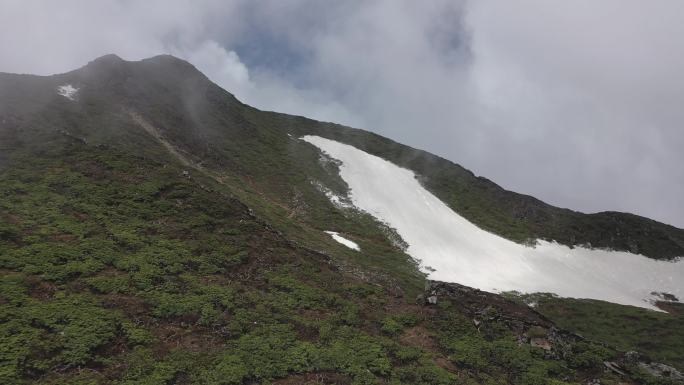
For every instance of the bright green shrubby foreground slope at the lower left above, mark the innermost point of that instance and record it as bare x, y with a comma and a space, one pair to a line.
121, 269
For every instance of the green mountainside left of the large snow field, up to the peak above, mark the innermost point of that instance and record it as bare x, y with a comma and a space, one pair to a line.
116, 267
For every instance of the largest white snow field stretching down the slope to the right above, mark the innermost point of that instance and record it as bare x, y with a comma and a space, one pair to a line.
459, 251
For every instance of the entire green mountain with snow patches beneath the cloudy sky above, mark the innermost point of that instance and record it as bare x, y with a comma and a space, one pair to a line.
156, 230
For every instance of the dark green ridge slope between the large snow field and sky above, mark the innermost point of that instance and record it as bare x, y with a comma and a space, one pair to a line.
517, 217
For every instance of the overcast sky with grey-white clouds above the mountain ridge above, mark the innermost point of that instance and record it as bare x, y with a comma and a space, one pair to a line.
579, 103
